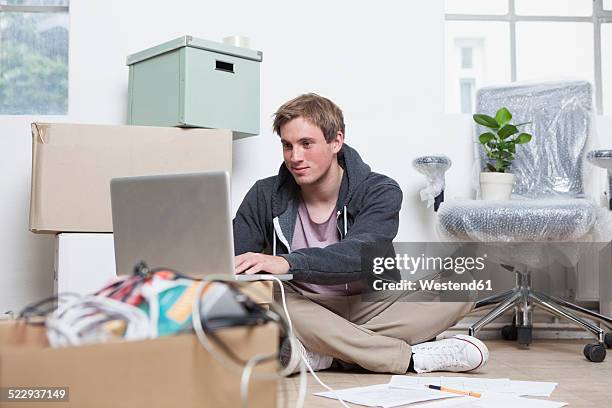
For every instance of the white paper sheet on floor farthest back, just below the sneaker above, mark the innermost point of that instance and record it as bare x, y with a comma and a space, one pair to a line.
482, 385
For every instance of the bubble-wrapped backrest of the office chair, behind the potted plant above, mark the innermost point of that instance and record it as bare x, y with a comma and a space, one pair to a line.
560, 112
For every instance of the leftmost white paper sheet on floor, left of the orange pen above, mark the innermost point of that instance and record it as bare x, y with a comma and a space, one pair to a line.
382, 395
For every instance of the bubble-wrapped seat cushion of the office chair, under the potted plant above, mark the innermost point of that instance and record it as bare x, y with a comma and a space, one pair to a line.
528, 233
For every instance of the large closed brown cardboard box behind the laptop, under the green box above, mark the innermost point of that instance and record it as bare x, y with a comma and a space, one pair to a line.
72, 166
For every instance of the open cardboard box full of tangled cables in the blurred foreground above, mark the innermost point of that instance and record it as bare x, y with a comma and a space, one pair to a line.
153, 339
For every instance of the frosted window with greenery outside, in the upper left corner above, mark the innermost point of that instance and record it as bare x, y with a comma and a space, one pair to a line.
33, 57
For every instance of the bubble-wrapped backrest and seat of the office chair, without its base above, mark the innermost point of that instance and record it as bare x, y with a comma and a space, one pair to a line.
549, 204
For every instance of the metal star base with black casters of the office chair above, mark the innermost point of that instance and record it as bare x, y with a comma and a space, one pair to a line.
523, 298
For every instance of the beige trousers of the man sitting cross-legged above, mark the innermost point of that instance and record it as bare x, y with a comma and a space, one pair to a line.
374, 335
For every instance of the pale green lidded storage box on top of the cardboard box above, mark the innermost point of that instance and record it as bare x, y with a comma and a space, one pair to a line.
190, 82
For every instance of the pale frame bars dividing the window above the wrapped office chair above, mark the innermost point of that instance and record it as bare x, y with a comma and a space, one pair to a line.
599, 16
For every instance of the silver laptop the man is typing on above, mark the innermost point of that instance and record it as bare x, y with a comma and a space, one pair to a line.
177, 221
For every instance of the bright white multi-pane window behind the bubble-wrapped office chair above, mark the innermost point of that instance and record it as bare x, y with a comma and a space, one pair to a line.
529, 40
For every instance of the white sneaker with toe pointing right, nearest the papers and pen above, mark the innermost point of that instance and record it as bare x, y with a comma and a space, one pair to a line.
458, 353
